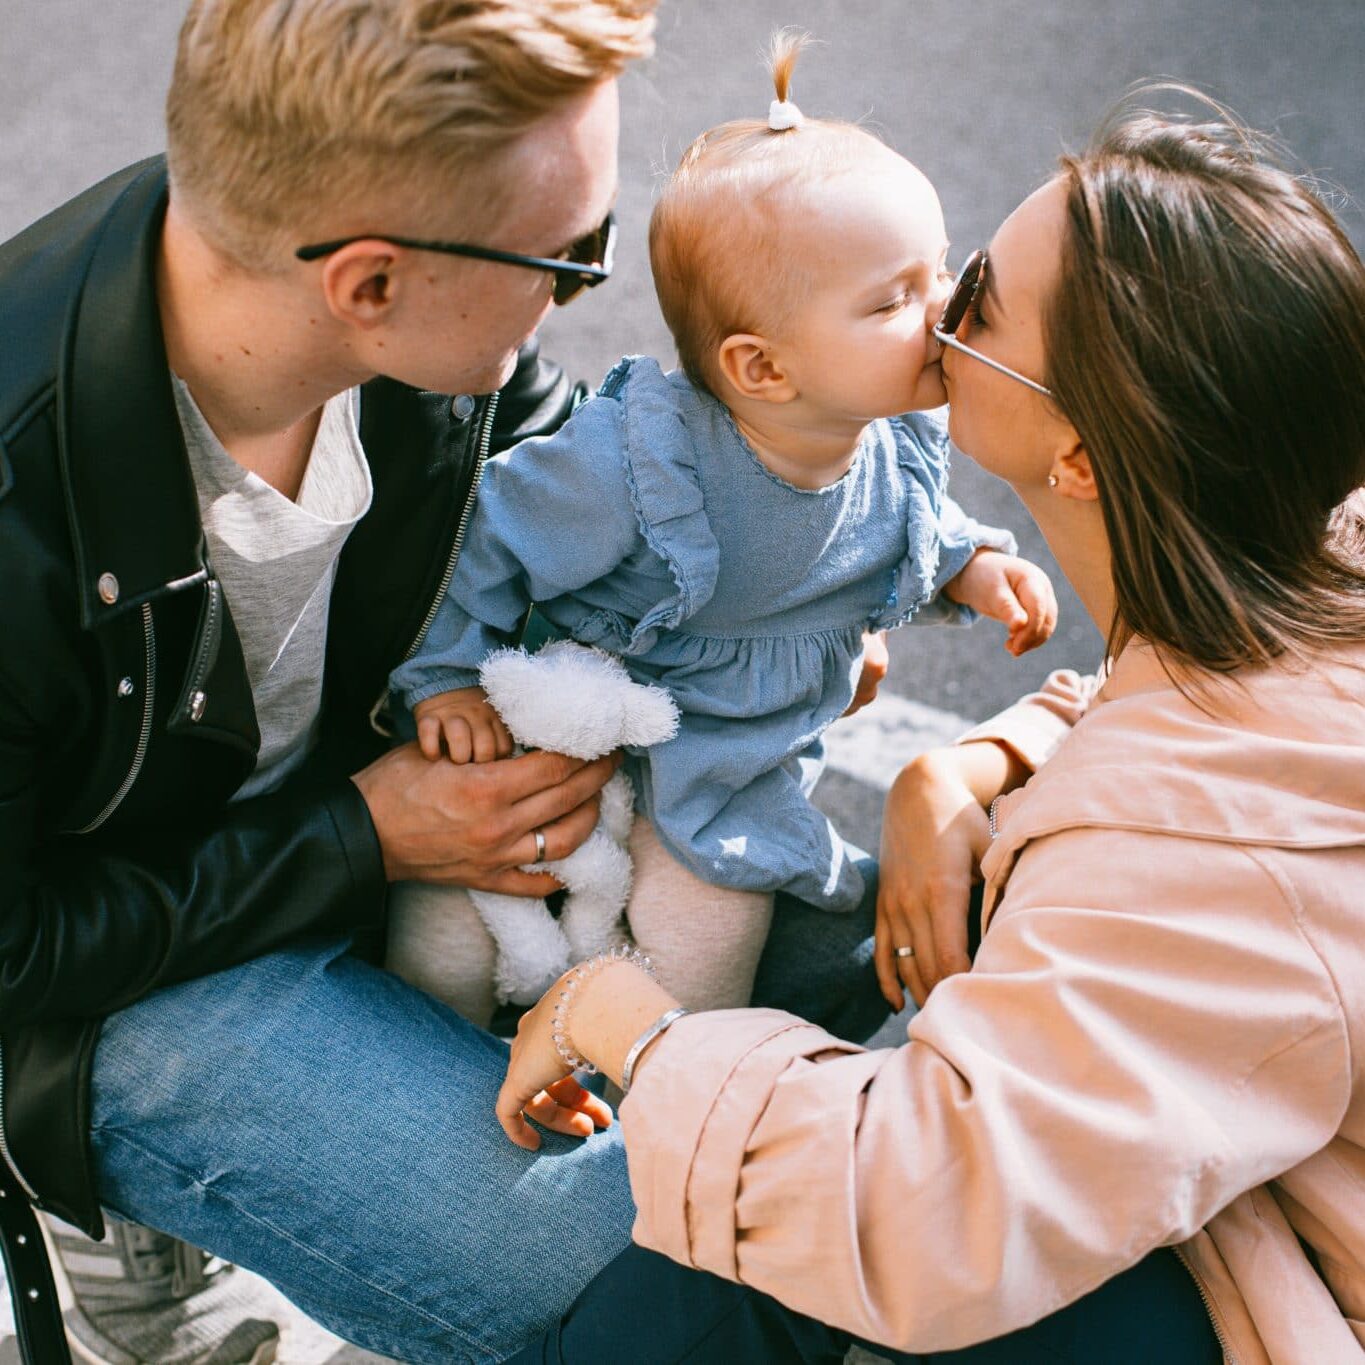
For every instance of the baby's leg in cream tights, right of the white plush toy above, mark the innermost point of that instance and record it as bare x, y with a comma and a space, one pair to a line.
705, 940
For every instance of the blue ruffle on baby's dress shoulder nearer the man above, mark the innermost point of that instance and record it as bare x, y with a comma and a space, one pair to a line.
665, 492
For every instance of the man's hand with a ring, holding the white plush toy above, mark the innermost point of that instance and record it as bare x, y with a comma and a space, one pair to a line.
474, 825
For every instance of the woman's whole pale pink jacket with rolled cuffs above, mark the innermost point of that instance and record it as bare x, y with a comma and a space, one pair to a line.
1161, 1045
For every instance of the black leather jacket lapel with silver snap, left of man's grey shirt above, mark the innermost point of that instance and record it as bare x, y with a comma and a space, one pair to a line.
130, 496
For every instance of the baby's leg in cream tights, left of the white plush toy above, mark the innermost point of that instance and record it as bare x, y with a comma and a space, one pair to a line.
439, 944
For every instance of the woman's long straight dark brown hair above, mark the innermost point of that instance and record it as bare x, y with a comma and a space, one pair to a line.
1207, 341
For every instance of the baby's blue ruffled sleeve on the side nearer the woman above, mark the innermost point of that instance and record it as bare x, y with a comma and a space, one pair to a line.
943, 537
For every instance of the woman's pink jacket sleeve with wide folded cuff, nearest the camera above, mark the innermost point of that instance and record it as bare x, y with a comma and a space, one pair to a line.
1057, 1113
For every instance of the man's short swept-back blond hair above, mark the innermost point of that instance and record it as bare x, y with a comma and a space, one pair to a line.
285, 113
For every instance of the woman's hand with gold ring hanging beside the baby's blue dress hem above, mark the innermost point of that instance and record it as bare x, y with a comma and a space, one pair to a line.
934, 836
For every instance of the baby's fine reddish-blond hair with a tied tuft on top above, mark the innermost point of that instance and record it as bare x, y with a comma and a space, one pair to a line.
717, 245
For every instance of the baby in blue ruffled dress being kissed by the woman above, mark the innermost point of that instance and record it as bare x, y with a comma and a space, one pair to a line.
732, 529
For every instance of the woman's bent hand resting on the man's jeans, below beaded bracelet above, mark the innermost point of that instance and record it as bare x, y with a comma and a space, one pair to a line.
538, 1084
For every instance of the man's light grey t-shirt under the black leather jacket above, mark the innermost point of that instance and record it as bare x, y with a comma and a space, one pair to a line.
276, 560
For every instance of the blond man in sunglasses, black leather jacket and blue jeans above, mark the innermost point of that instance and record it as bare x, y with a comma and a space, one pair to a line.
240, 425
